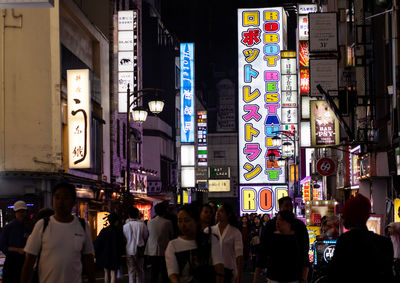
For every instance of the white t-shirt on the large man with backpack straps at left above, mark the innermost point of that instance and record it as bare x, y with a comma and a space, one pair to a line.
62, 245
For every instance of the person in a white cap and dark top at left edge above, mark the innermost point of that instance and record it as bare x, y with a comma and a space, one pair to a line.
12, 243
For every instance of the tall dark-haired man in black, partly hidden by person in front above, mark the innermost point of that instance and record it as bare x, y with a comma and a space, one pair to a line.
300, 230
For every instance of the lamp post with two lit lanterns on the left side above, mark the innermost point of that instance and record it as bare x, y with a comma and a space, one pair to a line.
139, 115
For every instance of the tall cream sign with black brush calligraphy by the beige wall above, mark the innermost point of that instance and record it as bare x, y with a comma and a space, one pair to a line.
79, 119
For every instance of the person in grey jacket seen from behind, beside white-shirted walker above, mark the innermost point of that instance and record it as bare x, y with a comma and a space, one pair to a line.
160, 233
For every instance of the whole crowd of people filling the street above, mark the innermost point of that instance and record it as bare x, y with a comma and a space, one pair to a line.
199, 243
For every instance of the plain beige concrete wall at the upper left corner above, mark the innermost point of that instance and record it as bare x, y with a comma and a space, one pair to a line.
30, 120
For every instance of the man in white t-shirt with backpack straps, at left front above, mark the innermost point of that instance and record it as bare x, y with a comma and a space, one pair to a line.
63, 245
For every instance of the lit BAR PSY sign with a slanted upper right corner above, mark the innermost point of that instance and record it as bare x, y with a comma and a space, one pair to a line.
324, 125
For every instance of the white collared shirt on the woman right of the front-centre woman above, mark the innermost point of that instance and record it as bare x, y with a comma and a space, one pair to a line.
231, 245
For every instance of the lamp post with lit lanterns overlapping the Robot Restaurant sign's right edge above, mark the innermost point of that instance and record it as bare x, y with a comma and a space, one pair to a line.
287, 147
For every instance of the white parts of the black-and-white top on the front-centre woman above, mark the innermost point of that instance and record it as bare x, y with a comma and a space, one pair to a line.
180, 245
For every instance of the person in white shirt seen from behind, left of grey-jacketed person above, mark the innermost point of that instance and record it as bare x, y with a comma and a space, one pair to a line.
136, 234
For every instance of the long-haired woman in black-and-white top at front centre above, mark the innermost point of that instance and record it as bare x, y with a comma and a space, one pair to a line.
195, 256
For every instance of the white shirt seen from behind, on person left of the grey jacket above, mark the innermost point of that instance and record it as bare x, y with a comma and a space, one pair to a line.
136, 234
